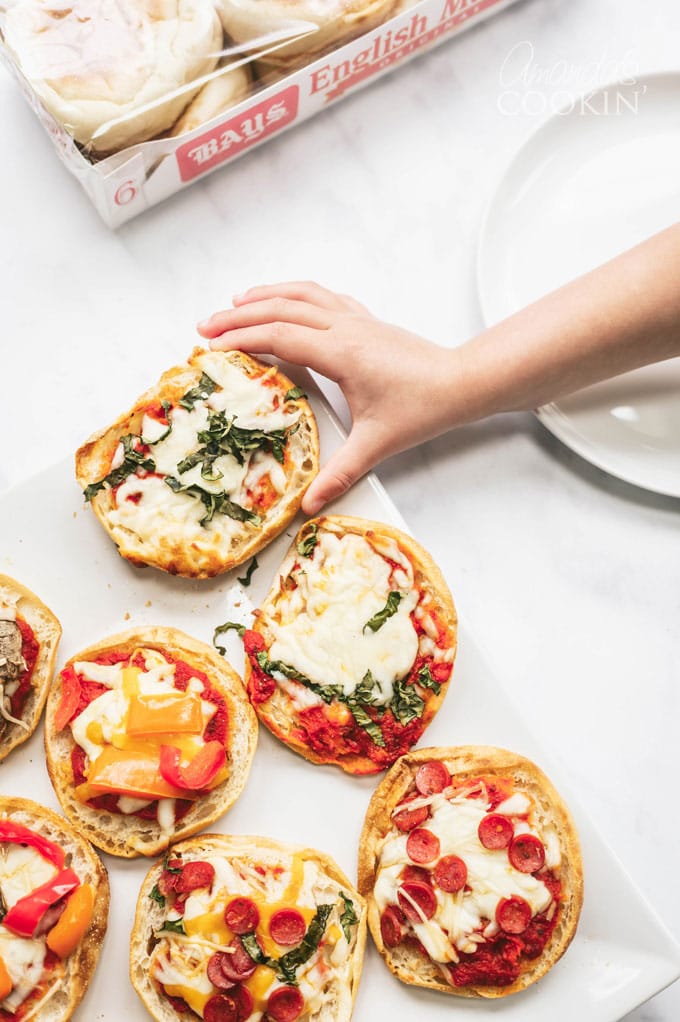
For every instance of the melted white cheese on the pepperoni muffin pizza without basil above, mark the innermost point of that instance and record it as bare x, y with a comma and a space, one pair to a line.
490, 876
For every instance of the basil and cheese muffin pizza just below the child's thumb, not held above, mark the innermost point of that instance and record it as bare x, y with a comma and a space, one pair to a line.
352, 651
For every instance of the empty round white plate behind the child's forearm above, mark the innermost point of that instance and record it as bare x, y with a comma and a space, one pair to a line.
583, 189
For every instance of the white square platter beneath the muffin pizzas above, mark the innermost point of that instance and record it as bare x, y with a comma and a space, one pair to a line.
622, 954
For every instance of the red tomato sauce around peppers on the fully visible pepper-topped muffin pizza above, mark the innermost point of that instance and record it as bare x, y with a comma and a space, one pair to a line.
216, 729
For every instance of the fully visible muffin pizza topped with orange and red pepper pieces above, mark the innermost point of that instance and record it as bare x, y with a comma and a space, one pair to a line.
113, 711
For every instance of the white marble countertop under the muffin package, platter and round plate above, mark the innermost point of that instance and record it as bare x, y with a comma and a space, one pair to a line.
568, 579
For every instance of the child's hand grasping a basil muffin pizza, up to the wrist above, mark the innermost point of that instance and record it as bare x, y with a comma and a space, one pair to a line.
398, 387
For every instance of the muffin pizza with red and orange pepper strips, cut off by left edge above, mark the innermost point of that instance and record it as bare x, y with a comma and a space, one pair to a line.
52, 970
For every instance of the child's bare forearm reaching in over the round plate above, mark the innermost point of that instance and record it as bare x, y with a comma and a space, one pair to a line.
619, 317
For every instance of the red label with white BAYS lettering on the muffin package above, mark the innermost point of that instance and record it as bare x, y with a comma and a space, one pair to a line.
232, 137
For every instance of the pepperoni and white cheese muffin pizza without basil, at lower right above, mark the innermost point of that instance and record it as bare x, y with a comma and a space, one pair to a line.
472, 867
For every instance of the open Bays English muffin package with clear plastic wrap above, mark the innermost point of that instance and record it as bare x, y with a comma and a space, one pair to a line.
144, 97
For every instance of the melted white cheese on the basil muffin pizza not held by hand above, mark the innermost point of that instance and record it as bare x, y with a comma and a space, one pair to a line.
321, 627
